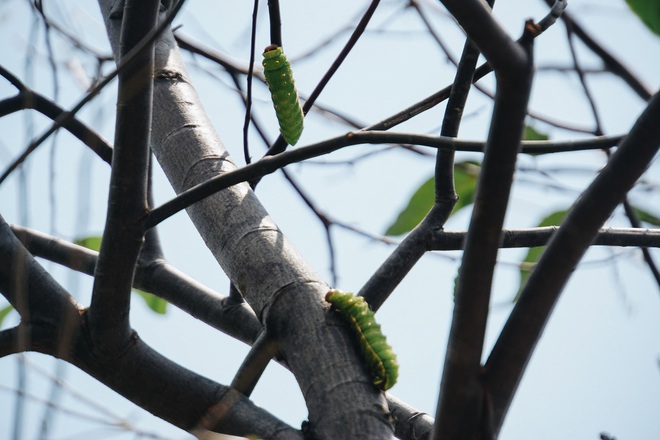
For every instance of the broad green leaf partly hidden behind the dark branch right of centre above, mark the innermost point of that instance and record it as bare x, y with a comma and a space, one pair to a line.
421, 202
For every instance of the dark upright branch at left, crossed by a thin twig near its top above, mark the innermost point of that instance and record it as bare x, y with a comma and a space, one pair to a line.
108, 314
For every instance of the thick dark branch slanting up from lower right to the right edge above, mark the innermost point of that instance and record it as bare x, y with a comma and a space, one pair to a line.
524, 327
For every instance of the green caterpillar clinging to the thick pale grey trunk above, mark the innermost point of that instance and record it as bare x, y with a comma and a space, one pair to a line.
377, 353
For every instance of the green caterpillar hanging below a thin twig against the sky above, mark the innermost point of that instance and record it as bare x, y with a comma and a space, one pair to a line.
279, 77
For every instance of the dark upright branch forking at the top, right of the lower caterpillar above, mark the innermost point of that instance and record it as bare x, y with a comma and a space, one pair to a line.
459, 413
